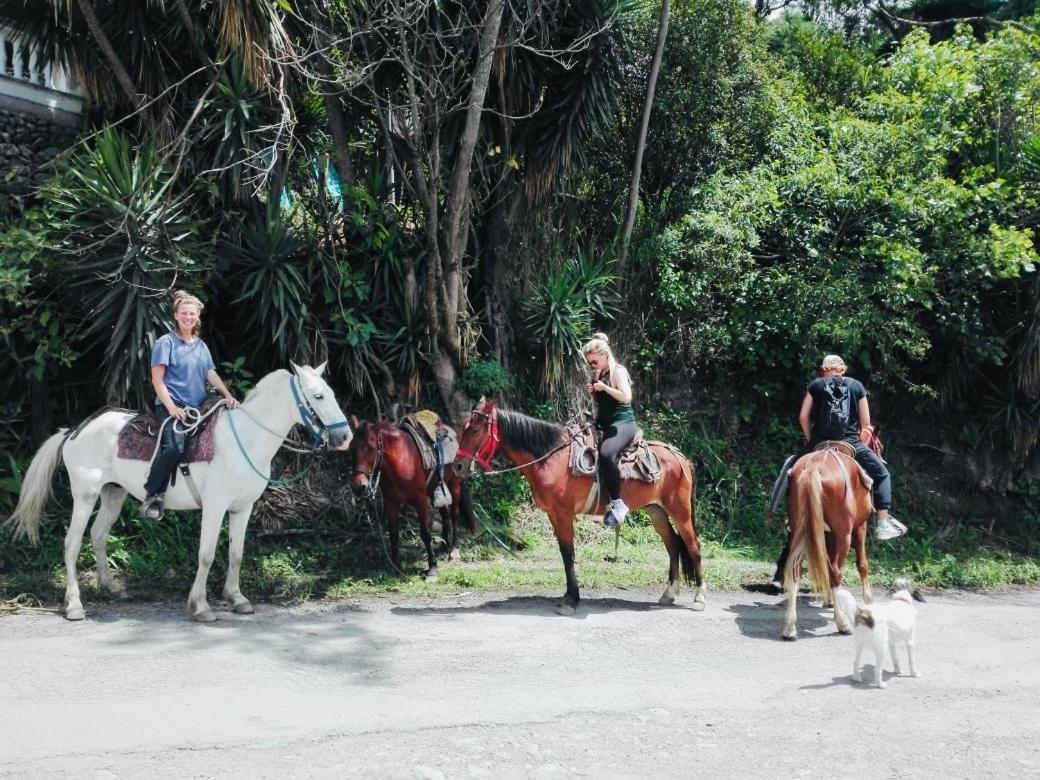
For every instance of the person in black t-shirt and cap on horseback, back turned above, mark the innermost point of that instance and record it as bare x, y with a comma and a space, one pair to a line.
836, 409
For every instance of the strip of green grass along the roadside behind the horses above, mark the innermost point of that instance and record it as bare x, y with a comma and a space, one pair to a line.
953, 543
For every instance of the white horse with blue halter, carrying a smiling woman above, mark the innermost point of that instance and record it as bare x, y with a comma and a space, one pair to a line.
246, 441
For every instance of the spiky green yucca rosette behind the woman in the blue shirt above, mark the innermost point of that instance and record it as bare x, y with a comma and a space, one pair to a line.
123, 235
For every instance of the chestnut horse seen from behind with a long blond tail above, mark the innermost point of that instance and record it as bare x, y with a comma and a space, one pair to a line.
828, 507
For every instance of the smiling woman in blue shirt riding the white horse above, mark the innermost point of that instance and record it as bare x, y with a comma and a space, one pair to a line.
181, 366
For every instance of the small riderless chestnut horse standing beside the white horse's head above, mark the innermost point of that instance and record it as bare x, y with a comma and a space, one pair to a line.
384, 457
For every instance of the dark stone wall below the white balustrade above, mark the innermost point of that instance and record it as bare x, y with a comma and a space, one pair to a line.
28, 143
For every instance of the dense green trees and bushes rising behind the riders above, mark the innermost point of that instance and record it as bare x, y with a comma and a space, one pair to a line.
831, 183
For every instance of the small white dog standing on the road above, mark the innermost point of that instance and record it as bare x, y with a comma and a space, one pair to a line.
879, 627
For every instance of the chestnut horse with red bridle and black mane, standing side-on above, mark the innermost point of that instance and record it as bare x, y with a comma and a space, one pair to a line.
542, 453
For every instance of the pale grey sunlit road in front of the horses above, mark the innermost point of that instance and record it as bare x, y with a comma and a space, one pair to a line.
499, 686
